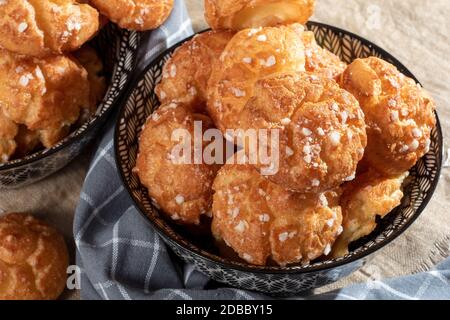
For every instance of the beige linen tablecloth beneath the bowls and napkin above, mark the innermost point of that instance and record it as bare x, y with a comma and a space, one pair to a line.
417, 32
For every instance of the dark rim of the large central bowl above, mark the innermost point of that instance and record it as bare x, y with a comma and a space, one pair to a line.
275, 270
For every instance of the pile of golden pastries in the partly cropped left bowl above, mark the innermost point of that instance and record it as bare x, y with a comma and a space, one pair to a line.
50, 78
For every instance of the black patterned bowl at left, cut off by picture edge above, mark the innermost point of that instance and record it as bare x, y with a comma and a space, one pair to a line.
117, 48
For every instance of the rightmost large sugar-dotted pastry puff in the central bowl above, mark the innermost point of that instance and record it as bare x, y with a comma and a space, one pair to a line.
399, 114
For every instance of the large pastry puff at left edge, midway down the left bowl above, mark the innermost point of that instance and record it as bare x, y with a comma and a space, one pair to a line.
44, 94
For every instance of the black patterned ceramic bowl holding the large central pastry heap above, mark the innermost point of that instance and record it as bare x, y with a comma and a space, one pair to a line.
142, 101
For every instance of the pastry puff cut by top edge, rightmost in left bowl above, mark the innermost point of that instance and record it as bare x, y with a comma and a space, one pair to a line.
137, 15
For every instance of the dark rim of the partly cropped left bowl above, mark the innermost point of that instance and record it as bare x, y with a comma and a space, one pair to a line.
93, 123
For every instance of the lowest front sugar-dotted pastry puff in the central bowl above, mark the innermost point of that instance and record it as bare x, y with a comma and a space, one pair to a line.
263, 222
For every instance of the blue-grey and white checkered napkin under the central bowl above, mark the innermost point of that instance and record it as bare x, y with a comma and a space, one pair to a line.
121, 257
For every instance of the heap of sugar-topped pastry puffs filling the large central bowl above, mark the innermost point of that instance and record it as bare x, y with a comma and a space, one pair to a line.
348, 136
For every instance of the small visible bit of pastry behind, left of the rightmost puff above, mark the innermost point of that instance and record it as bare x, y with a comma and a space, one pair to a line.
319, 60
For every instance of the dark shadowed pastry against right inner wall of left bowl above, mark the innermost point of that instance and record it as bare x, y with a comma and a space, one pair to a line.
89, 59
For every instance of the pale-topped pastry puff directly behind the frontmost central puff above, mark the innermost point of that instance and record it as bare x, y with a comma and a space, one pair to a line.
249, 56
